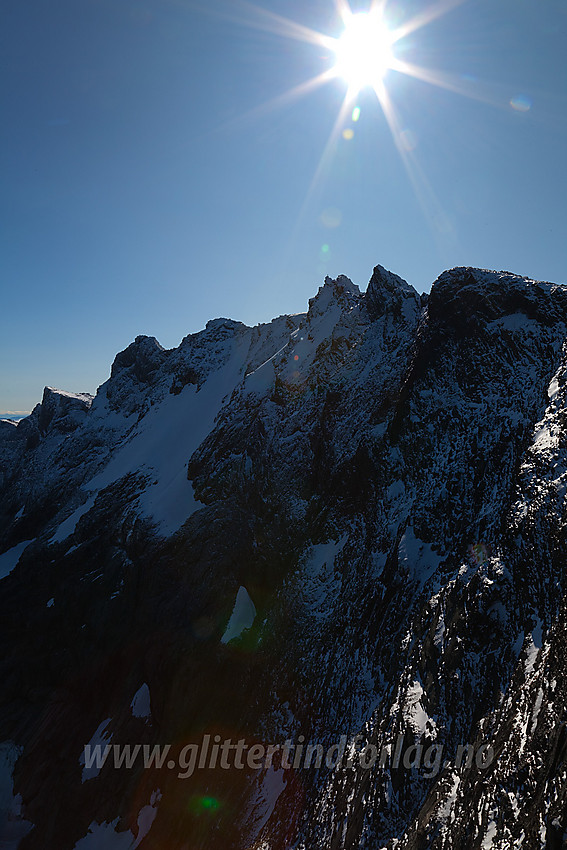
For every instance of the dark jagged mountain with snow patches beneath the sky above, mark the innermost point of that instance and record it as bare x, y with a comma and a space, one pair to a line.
349, 522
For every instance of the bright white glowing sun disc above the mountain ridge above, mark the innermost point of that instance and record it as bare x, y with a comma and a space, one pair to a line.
364, 51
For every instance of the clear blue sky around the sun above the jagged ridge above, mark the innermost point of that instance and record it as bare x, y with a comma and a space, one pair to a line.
156, 175
